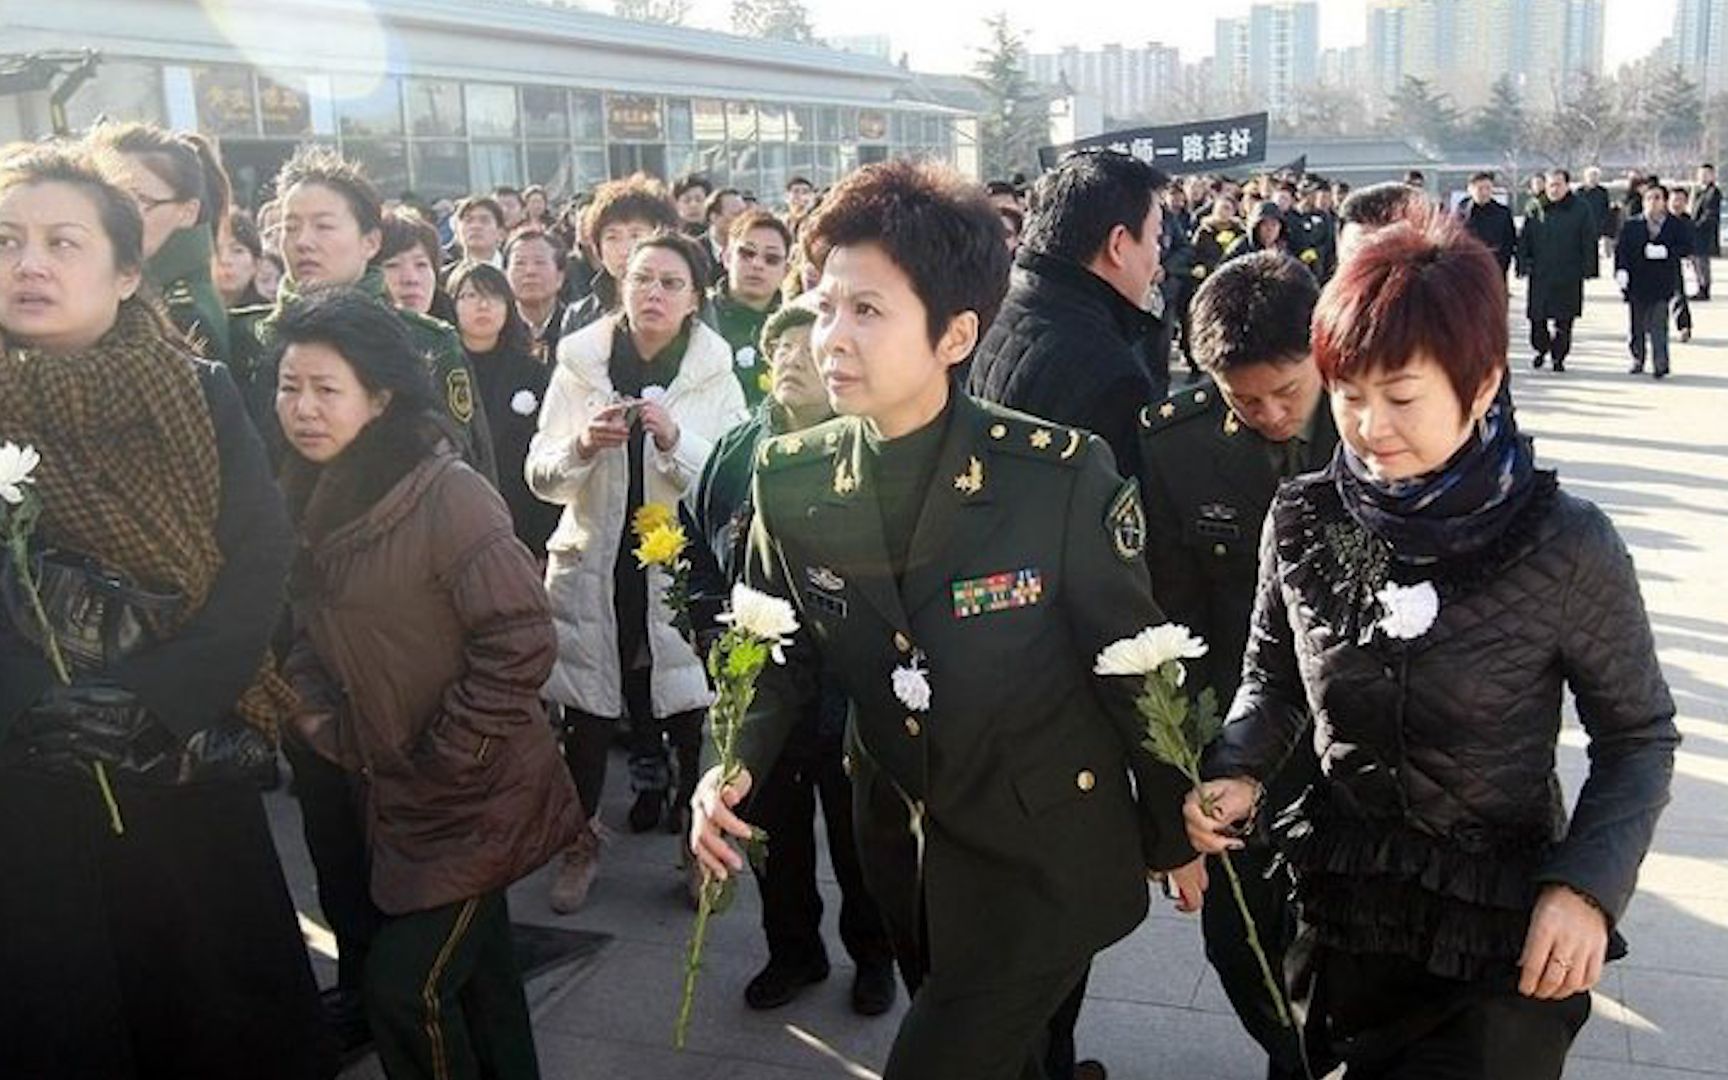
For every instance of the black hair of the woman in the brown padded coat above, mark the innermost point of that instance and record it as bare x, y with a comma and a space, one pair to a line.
371, 338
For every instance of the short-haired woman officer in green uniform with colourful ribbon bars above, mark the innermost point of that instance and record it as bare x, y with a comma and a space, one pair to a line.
1005, 808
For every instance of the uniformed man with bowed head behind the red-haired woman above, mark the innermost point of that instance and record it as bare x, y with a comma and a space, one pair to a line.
1214, 459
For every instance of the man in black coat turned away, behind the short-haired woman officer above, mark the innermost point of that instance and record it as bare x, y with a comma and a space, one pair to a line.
1067, 341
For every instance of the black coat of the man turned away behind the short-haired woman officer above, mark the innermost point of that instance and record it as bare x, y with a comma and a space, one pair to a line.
1065, 348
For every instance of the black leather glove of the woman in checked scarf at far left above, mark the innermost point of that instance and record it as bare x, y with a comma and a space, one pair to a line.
72, 728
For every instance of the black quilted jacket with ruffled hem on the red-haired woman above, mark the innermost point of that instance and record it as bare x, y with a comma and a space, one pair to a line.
1439, 815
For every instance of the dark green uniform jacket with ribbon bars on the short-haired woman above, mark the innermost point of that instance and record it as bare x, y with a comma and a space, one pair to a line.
1010, 797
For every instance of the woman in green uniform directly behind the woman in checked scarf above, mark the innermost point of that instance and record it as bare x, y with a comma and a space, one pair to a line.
184, 194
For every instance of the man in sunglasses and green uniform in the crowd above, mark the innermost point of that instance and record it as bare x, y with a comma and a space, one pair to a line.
756, 264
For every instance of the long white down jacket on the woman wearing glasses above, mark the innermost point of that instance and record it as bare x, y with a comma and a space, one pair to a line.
706, 402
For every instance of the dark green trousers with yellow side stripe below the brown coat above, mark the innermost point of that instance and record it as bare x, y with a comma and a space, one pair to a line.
445, 996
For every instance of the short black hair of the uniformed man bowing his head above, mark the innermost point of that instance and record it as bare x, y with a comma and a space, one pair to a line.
1254, 310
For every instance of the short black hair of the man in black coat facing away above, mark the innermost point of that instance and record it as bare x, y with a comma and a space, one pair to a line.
1077, 205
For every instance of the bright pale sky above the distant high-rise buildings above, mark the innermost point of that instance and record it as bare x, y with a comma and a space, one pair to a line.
941, 35
